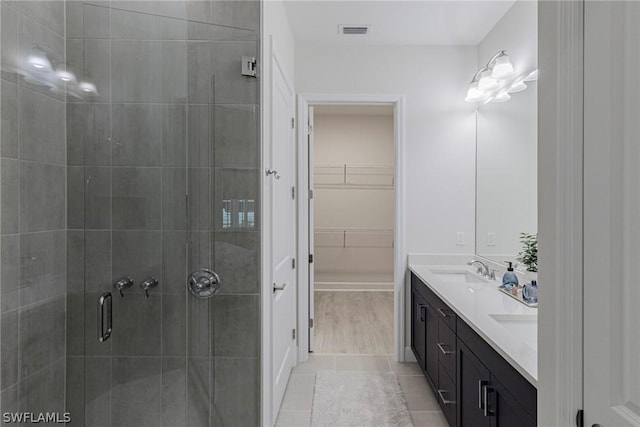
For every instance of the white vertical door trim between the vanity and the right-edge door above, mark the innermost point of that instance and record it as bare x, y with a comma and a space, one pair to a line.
560, 211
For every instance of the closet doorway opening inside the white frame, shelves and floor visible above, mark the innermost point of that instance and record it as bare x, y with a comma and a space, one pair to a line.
351, 221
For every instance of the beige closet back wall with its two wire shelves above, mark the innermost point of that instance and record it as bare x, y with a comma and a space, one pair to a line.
354, 197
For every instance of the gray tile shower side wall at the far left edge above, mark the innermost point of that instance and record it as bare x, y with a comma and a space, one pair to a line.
33, 261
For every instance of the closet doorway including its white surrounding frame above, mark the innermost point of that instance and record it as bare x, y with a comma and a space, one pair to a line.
350, 226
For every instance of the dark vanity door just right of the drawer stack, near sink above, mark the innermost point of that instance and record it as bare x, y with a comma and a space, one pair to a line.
473, 377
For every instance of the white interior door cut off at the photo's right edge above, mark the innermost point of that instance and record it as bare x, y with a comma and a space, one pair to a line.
611, 214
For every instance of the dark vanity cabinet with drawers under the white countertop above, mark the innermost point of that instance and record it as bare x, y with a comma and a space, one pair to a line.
474, 385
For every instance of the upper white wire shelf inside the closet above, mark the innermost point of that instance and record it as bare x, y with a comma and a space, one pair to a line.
353, 176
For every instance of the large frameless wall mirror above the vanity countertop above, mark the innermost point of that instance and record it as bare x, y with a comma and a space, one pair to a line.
506, 180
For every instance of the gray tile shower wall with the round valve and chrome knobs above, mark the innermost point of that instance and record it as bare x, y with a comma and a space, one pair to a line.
162, 180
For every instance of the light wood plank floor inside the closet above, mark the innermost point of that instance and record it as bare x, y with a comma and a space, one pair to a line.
353, 322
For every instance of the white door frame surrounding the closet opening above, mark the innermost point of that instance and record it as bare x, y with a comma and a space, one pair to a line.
399, 251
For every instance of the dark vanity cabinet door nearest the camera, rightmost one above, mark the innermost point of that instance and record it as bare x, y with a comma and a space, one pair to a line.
506, 409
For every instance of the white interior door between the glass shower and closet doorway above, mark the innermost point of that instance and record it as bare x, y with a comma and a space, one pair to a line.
283, 229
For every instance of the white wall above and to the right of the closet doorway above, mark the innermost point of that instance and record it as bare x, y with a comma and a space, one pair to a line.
439, 132
